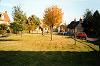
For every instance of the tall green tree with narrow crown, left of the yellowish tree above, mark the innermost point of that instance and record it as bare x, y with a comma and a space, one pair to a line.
19, 19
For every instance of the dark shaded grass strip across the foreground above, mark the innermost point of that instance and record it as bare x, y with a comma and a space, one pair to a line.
48, 58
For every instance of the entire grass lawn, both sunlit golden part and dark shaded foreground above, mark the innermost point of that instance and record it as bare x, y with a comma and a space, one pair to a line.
38, 50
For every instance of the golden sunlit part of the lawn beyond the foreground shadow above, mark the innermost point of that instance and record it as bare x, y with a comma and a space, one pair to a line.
38, 42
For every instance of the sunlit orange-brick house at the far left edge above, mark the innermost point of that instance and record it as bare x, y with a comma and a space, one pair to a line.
4, 18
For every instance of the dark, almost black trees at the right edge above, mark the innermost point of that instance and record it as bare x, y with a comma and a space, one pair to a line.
91, 23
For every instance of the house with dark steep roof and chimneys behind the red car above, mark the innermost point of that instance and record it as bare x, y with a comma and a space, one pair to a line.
75, 26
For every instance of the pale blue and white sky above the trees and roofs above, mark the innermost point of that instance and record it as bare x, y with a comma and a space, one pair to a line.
71, 8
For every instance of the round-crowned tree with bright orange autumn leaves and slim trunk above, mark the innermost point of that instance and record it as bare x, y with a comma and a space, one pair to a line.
52, 17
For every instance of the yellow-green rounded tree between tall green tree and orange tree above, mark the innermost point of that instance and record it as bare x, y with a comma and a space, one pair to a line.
32, 23
